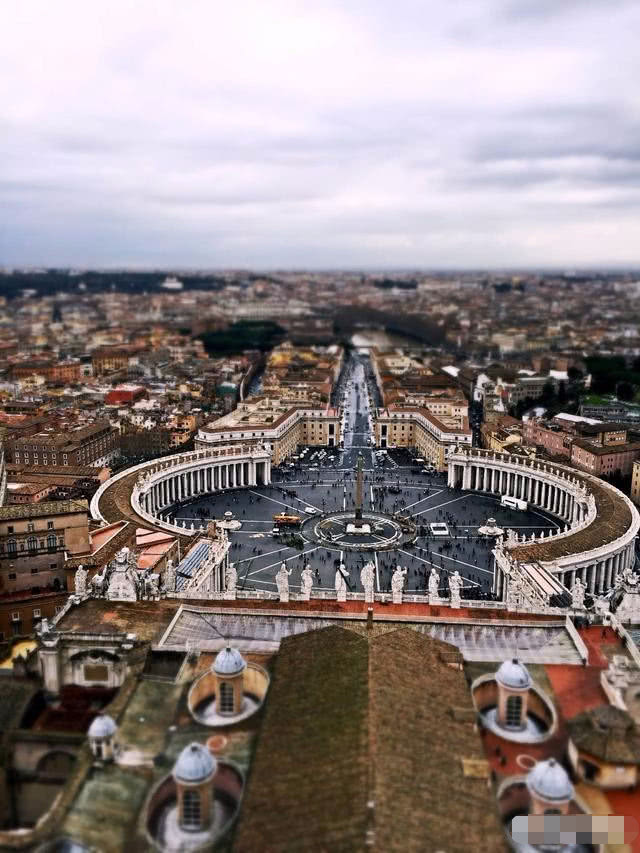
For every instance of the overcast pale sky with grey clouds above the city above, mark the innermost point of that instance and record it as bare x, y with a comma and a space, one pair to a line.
434, 133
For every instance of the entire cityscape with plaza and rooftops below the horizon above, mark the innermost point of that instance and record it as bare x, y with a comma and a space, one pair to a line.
231, 500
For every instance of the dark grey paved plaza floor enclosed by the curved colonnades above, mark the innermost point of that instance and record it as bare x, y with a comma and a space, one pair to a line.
391, 489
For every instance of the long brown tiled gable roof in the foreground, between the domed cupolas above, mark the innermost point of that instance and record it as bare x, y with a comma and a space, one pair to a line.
359, 748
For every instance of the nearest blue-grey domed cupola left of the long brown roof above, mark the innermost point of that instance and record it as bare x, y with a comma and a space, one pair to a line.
193, 773
